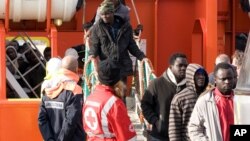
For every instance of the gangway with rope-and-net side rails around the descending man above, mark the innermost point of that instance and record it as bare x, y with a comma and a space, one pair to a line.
144, 73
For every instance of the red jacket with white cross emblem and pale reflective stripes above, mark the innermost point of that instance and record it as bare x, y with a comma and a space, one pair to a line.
105, 117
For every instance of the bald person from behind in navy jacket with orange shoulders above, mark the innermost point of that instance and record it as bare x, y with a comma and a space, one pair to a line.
60, 116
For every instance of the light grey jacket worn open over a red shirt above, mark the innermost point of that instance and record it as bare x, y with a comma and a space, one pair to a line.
204, 124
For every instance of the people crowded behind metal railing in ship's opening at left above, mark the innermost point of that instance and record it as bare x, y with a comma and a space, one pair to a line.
23, 62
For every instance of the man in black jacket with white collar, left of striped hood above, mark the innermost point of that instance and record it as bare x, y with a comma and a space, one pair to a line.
157, 98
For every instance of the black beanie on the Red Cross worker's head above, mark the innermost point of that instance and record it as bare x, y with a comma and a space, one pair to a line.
108, 72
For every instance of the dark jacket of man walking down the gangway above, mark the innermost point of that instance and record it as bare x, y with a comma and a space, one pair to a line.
118, 49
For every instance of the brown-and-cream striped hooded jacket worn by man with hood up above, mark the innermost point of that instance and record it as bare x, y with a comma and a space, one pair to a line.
182, 105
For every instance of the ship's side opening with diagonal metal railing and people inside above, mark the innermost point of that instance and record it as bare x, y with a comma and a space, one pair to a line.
25, 66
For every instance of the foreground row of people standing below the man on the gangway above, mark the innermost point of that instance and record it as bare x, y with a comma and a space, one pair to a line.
181, 104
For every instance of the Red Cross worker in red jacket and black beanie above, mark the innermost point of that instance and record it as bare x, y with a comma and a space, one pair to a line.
105, 117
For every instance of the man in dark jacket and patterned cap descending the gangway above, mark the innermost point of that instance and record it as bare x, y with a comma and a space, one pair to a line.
112, 37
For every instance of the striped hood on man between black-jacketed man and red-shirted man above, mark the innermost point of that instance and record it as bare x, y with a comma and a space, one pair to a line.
190, 72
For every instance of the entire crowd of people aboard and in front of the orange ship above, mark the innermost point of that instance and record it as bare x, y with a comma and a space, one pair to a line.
185, 103
